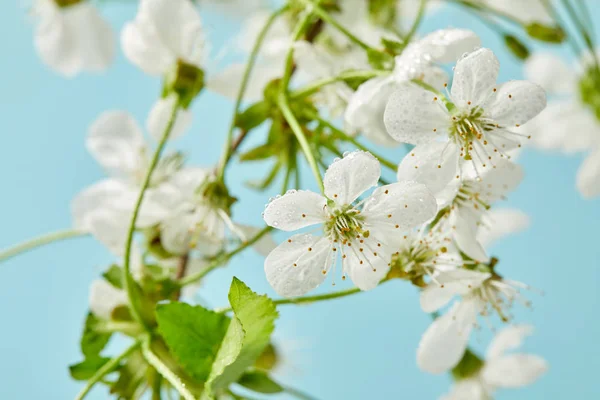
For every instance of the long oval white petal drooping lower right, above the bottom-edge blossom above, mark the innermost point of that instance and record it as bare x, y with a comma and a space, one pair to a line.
444, 342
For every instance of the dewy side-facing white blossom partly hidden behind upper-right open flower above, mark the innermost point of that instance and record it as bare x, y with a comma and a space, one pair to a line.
365, 112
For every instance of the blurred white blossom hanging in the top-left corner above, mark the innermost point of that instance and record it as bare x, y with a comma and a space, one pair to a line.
72, 37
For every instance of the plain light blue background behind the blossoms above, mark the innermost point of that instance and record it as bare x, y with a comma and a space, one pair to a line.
355, 348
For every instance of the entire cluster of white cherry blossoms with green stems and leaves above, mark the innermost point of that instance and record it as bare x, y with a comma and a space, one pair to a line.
322, 77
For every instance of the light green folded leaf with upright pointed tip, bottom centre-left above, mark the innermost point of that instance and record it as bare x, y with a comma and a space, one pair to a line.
247, 336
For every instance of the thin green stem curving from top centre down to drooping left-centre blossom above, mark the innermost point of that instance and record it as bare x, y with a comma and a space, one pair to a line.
228, 150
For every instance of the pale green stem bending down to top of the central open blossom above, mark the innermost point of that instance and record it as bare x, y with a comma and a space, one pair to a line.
285, 108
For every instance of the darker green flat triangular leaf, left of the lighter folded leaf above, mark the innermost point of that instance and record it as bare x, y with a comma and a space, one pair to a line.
193, 335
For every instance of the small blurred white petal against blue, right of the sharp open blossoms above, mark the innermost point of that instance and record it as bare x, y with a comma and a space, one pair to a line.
501, 222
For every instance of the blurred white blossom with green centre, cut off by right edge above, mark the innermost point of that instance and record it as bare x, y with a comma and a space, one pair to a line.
571, 122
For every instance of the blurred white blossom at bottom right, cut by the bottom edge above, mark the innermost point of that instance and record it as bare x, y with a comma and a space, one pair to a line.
500, 369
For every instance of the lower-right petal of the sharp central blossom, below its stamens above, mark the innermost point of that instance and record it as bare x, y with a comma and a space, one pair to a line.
366, 267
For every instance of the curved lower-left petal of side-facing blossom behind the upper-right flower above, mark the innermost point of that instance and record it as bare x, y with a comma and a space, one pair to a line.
366, 107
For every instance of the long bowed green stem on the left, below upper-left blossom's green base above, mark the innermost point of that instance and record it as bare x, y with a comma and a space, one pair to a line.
130, 285
